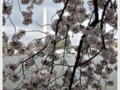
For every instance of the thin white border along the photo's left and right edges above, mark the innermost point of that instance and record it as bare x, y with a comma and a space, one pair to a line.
118, 75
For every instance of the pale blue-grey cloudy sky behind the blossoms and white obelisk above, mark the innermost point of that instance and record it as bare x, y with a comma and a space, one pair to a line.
51, 7
